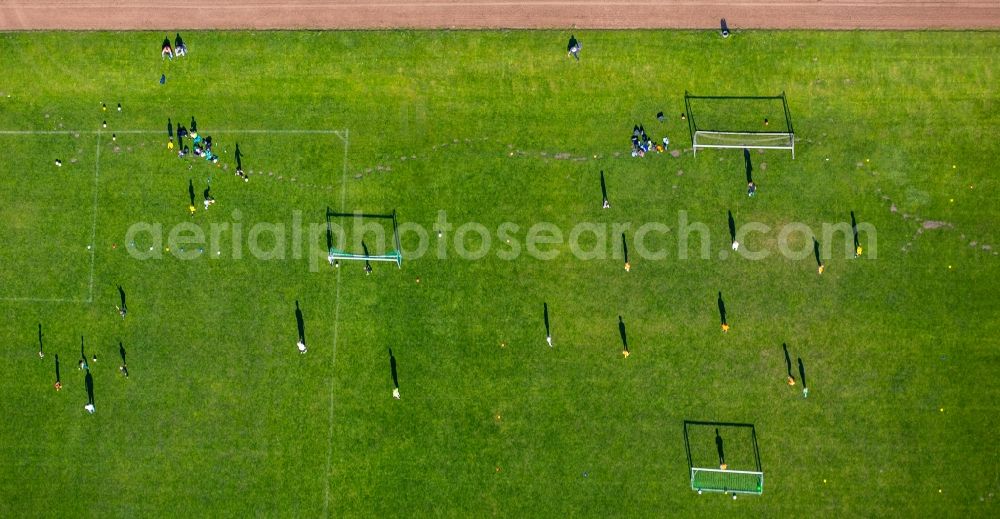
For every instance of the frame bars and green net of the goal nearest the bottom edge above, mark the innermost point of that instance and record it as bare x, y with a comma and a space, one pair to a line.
743, 480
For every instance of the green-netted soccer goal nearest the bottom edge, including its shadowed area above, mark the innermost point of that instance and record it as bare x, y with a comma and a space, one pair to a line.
723, 457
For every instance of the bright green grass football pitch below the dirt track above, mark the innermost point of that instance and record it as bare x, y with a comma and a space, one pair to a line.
222, 416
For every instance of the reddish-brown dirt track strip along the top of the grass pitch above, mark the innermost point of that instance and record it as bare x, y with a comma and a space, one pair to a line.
473, 14
